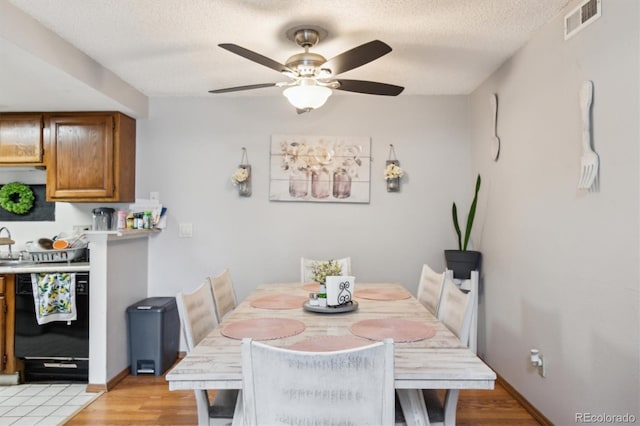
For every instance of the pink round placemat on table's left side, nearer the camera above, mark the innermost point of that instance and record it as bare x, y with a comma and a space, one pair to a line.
263, 328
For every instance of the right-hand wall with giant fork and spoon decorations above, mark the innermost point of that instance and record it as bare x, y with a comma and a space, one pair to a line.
560, 264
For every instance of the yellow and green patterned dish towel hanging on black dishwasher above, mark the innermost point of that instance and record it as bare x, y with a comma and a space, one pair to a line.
54, 295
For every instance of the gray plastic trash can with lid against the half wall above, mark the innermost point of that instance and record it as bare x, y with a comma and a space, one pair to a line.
153, 335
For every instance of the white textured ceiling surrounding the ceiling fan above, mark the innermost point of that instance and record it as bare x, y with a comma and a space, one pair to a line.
169, 47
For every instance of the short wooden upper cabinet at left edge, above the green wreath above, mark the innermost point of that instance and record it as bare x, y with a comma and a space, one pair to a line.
21, 139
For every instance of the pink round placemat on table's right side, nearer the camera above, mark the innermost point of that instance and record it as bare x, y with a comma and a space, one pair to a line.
400, 330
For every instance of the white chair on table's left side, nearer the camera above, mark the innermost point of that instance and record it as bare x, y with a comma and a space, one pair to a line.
198, 318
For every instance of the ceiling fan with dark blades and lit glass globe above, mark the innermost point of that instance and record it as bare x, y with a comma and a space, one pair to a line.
312, 77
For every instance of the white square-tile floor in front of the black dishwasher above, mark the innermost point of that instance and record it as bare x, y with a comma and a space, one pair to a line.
41, 404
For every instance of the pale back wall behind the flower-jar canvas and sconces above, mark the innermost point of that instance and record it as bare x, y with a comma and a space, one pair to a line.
188, 148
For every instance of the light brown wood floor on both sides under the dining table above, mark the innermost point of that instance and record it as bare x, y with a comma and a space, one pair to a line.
146, 400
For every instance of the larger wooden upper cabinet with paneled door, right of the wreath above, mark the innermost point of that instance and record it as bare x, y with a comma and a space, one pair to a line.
91, 157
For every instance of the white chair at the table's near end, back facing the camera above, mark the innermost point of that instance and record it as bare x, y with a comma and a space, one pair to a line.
283, 386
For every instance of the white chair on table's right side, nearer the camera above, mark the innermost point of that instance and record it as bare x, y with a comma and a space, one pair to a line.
455, 311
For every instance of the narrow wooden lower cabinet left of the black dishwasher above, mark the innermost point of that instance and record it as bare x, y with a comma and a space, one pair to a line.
7, 324
